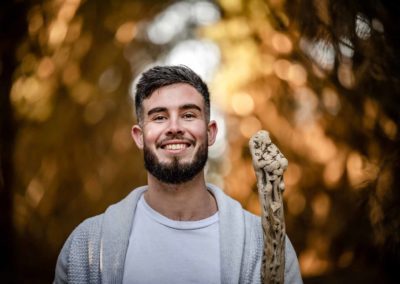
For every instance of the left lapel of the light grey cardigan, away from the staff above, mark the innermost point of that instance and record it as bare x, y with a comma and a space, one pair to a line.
116, 229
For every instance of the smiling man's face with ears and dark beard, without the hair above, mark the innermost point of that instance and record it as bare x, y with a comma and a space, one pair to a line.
174, 133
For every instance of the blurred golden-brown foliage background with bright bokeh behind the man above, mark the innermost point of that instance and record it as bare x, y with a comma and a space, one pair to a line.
321, 76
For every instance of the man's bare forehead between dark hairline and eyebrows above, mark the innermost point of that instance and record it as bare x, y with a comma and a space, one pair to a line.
174, 96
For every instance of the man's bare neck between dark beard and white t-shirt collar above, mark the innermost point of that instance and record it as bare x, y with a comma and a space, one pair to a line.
188, 201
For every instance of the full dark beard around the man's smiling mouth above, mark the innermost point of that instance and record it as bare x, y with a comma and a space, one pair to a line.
175, 172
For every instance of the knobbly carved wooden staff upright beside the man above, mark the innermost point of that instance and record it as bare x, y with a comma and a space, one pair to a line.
269, 165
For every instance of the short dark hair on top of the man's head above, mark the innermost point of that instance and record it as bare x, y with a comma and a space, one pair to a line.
160, 76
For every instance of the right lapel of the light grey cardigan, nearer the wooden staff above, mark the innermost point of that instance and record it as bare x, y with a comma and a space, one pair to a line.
232, 235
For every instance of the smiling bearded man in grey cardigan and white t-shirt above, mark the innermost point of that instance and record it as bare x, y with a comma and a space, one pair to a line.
177, 229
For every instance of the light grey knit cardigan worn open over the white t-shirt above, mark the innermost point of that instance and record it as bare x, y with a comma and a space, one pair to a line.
95, 251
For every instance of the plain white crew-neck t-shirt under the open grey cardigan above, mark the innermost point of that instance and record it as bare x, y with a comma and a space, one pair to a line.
165, 251
